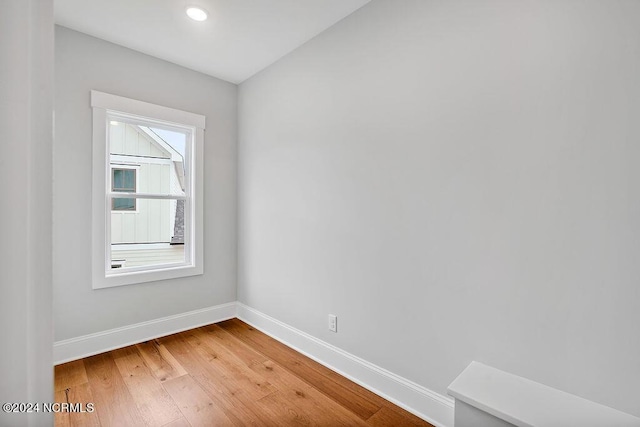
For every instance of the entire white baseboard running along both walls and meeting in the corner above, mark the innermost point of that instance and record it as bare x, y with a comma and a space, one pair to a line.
426, 404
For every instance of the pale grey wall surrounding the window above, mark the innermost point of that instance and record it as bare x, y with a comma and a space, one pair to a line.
83, 63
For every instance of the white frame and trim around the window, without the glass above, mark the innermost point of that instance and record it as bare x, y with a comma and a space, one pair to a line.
105, 106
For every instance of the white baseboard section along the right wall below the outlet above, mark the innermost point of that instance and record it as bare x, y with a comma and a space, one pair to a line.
426, 404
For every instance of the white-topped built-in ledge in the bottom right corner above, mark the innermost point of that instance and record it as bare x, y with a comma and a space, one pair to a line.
486, 396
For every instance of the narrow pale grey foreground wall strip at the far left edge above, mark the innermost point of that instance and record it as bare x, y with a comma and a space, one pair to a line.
26, 135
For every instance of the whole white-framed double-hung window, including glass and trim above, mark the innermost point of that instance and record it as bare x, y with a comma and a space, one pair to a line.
153, 155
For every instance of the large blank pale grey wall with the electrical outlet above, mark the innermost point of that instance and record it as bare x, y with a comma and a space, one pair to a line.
456, 181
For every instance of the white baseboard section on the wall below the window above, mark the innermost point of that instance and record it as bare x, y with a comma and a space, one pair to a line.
88, 345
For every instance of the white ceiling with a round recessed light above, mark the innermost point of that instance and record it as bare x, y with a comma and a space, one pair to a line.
240, 38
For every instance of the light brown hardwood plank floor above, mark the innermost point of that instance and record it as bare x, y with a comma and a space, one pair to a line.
227, 374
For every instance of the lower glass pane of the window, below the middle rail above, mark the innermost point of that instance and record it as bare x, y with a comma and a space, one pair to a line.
153, 235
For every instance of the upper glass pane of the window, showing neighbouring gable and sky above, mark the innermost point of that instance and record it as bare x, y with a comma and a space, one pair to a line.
157, 155
